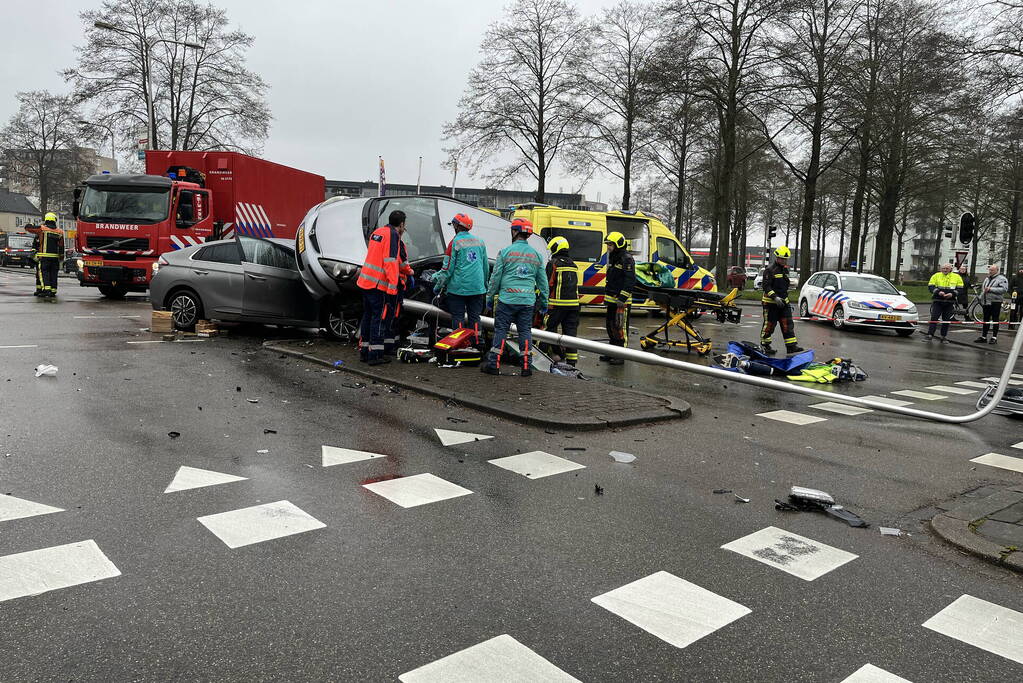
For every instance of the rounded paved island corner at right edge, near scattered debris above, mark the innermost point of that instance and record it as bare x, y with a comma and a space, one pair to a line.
988, 523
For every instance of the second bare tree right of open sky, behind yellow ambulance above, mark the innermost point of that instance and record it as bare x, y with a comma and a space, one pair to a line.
618, 94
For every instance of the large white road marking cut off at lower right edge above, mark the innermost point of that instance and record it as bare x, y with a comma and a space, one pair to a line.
983, 624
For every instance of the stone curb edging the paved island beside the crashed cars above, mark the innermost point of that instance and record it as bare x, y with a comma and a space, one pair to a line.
682, 409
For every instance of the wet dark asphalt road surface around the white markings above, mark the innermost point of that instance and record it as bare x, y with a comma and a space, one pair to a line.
382, 590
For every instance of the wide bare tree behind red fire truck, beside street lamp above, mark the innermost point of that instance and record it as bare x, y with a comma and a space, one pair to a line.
205, 99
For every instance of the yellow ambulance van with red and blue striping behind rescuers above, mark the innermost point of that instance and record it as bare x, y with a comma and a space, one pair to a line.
650, 242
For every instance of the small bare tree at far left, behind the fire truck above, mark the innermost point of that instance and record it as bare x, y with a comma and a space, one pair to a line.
40, 146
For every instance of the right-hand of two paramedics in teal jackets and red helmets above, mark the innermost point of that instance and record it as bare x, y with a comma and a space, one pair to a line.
520, 284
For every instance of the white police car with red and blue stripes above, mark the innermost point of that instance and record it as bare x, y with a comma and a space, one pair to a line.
857, 299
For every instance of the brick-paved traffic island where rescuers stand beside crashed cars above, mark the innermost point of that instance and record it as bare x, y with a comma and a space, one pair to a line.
544, 400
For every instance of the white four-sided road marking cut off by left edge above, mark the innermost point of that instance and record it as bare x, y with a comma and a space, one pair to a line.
52, 569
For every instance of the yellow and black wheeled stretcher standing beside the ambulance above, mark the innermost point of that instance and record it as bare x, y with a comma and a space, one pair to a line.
682, 308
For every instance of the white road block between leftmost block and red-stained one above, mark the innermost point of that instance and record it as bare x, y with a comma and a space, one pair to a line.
260, 523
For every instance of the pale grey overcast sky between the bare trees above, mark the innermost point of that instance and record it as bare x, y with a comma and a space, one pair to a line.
349, 80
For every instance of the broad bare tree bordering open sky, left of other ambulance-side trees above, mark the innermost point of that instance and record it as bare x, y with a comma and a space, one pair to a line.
522, 100
